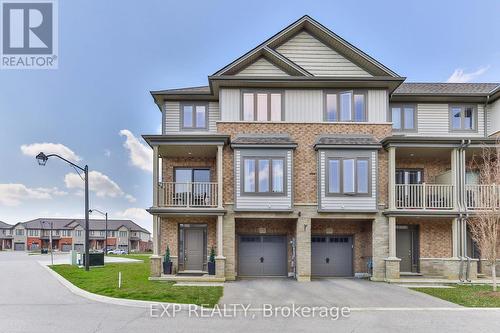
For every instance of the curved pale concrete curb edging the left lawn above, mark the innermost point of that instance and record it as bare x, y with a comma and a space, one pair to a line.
112, 300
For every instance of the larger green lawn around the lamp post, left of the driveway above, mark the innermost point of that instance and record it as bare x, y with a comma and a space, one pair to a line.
135, 283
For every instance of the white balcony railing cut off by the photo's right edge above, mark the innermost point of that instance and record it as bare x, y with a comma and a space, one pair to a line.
482, 197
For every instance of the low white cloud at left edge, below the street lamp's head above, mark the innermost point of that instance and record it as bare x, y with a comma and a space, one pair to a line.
14, 194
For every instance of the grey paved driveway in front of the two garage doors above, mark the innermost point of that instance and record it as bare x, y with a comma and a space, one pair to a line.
330, 292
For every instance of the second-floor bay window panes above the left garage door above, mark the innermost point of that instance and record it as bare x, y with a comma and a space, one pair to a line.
264, 175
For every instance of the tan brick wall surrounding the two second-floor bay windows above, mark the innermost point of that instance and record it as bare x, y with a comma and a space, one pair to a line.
305, 159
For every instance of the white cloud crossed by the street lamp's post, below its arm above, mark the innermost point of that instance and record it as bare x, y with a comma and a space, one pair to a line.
99, 183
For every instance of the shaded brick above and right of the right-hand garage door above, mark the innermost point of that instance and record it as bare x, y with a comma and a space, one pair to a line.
362, 237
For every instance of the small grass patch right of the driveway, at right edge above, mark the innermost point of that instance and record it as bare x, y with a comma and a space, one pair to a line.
466, 295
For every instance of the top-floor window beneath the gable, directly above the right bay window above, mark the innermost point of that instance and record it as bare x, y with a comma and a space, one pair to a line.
345, 106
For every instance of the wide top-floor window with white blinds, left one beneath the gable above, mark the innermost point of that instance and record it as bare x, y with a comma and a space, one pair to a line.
262, 106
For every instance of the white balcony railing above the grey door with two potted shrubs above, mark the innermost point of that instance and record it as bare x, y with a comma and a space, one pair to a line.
196, 194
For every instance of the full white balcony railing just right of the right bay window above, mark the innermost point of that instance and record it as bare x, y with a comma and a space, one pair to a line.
424, 196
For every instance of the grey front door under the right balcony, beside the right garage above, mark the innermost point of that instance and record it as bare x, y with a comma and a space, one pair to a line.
407, 247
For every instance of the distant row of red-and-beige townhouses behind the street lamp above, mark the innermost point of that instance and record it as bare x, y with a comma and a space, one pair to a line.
69, 234
